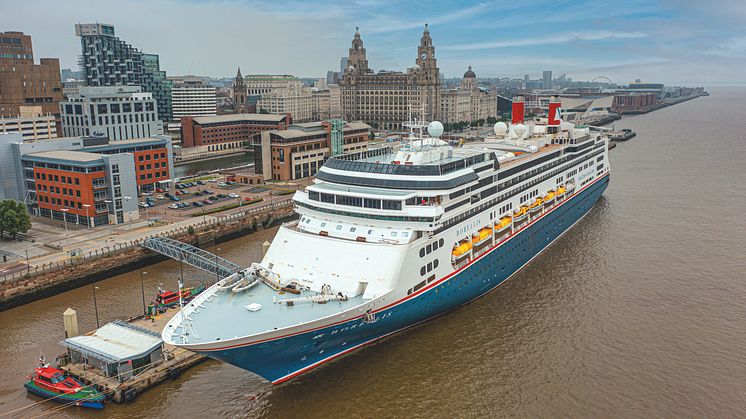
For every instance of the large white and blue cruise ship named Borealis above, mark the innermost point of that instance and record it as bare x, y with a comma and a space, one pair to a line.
395, 236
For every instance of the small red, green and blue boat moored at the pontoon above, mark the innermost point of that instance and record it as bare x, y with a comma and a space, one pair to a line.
51, 383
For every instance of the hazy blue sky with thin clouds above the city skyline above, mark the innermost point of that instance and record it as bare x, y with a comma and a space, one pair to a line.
677, 42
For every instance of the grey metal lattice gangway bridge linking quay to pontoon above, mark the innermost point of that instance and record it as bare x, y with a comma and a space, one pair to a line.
192, 256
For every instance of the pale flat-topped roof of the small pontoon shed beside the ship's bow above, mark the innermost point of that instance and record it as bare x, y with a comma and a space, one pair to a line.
116, 342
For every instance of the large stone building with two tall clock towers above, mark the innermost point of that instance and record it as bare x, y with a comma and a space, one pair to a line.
385, 99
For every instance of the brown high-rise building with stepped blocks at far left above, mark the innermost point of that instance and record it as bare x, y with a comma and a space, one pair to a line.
23, 83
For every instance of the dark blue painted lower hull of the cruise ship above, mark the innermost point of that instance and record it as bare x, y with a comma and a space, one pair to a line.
281, 359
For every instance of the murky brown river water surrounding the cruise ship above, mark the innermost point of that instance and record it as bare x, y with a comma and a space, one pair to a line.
639, 310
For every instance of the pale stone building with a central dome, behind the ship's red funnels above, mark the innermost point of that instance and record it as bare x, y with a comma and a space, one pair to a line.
468, 102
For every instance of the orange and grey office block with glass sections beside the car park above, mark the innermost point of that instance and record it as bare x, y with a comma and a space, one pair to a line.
87, 180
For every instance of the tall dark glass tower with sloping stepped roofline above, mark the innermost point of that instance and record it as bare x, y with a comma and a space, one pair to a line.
107, 60
